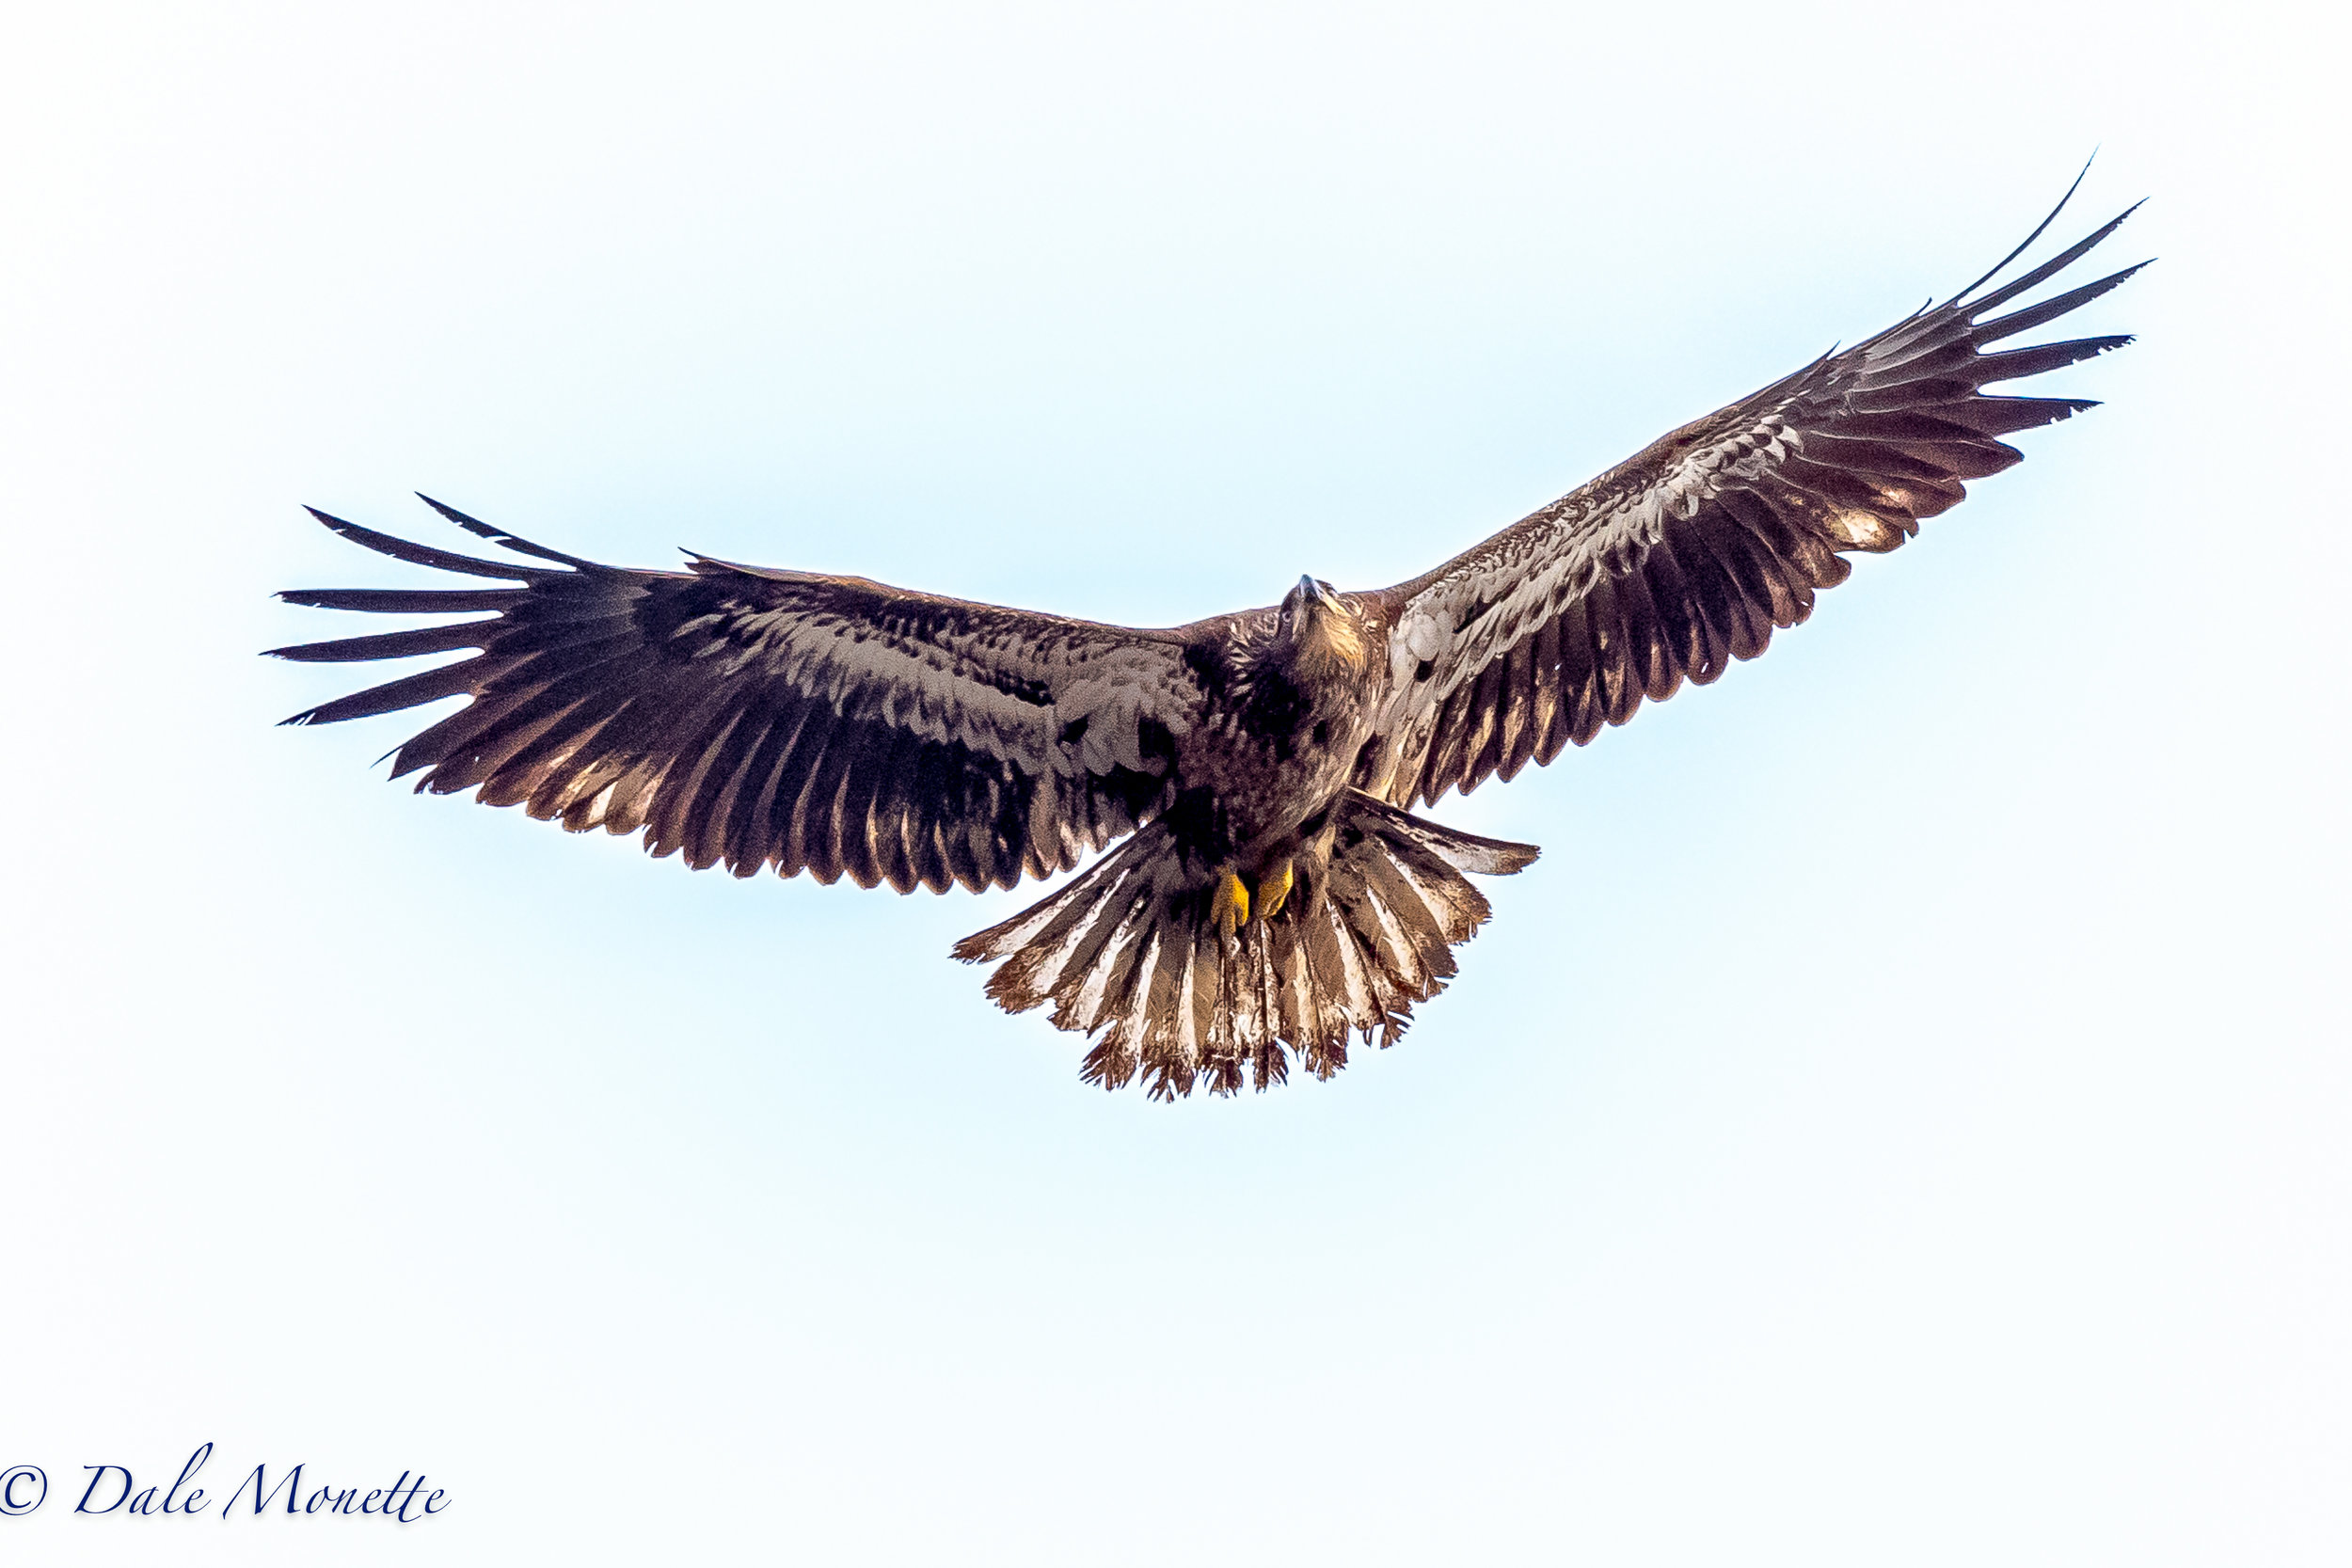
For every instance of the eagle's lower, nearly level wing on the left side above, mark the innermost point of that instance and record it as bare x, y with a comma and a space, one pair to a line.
777, 718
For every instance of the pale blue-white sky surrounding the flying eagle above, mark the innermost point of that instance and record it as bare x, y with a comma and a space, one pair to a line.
1904, 1115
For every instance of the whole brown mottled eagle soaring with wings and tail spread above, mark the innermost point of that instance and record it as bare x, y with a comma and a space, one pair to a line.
1276, 892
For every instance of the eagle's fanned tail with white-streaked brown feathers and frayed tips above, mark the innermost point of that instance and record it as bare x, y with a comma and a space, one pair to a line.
1132, 953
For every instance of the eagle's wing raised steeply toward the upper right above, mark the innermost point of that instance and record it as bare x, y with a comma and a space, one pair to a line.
1692, 554
